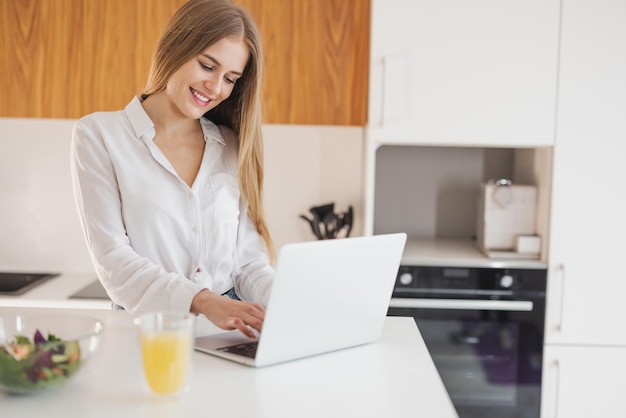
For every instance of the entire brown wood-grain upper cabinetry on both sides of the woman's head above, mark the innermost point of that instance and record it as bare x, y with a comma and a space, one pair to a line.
63, 59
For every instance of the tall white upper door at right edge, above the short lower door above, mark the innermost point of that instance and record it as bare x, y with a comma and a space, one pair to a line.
588, 221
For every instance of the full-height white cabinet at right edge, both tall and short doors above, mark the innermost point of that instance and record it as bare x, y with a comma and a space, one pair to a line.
585, 357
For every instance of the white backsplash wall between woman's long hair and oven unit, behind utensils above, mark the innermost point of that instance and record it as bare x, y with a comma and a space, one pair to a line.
307, 166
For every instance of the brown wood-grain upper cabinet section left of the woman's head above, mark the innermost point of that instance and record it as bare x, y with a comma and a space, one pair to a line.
63, 59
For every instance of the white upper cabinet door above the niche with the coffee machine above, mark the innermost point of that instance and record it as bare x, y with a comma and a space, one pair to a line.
455, 72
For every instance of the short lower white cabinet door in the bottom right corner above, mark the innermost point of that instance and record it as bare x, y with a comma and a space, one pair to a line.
583, 382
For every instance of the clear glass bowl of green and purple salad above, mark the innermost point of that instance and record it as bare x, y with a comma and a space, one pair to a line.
39, 352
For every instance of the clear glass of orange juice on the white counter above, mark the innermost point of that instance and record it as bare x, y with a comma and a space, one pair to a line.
166, 357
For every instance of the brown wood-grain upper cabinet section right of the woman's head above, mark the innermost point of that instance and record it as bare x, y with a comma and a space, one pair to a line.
317, 57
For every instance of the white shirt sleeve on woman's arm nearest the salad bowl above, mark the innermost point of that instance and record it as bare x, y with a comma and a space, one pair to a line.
134, 282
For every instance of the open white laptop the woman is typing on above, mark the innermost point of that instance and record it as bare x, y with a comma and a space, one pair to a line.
327, 295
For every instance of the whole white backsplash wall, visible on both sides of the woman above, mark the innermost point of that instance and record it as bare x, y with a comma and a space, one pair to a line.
39, 229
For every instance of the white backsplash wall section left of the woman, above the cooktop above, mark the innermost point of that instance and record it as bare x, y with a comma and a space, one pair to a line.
39, 228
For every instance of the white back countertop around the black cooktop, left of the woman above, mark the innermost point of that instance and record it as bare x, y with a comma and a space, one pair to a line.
56, 292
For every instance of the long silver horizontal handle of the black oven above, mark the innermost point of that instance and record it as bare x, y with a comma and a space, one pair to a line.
483, 305
